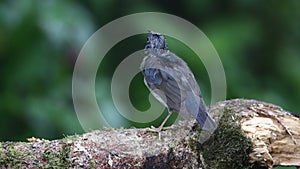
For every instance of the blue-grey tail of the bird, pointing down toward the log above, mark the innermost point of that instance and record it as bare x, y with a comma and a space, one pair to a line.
205, 121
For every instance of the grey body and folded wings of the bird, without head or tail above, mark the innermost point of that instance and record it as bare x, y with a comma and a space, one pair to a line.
169, 79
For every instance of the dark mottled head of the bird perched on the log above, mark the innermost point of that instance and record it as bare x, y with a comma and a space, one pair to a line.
156, 41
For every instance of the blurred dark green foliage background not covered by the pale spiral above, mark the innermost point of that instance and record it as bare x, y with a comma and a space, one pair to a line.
258, 42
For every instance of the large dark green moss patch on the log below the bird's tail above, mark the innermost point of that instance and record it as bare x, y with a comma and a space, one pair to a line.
227, 147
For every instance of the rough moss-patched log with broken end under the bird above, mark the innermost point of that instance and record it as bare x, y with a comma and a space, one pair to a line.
250, 134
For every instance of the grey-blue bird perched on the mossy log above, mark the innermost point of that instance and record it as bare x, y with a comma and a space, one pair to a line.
170, 81
